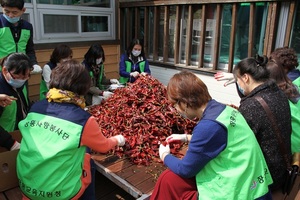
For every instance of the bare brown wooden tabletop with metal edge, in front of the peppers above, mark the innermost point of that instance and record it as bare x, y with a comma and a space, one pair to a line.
137, 180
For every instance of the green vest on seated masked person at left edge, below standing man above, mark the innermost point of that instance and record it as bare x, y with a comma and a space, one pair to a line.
8, 118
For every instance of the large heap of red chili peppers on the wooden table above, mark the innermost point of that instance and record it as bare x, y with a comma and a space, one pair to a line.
141, 113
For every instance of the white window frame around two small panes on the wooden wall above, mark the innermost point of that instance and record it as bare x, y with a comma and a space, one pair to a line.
37, 11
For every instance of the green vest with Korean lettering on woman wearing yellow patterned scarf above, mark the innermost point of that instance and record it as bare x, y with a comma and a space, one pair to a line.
46, 172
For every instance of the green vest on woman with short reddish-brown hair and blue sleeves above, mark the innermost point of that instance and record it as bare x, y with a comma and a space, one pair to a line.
243, 174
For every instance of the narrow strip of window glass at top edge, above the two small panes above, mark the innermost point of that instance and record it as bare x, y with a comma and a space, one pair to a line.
91, 3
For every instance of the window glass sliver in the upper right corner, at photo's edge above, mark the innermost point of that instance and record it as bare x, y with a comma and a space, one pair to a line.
295, 39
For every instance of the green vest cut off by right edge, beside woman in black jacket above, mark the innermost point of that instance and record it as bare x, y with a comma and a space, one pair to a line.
295, 117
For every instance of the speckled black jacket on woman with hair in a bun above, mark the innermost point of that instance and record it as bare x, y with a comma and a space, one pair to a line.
261, 125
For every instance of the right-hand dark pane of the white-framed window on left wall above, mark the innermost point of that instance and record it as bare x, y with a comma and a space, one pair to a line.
94, 23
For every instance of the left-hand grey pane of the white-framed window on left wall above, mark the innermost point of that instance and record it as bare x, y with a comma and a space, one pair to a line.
60, 23
